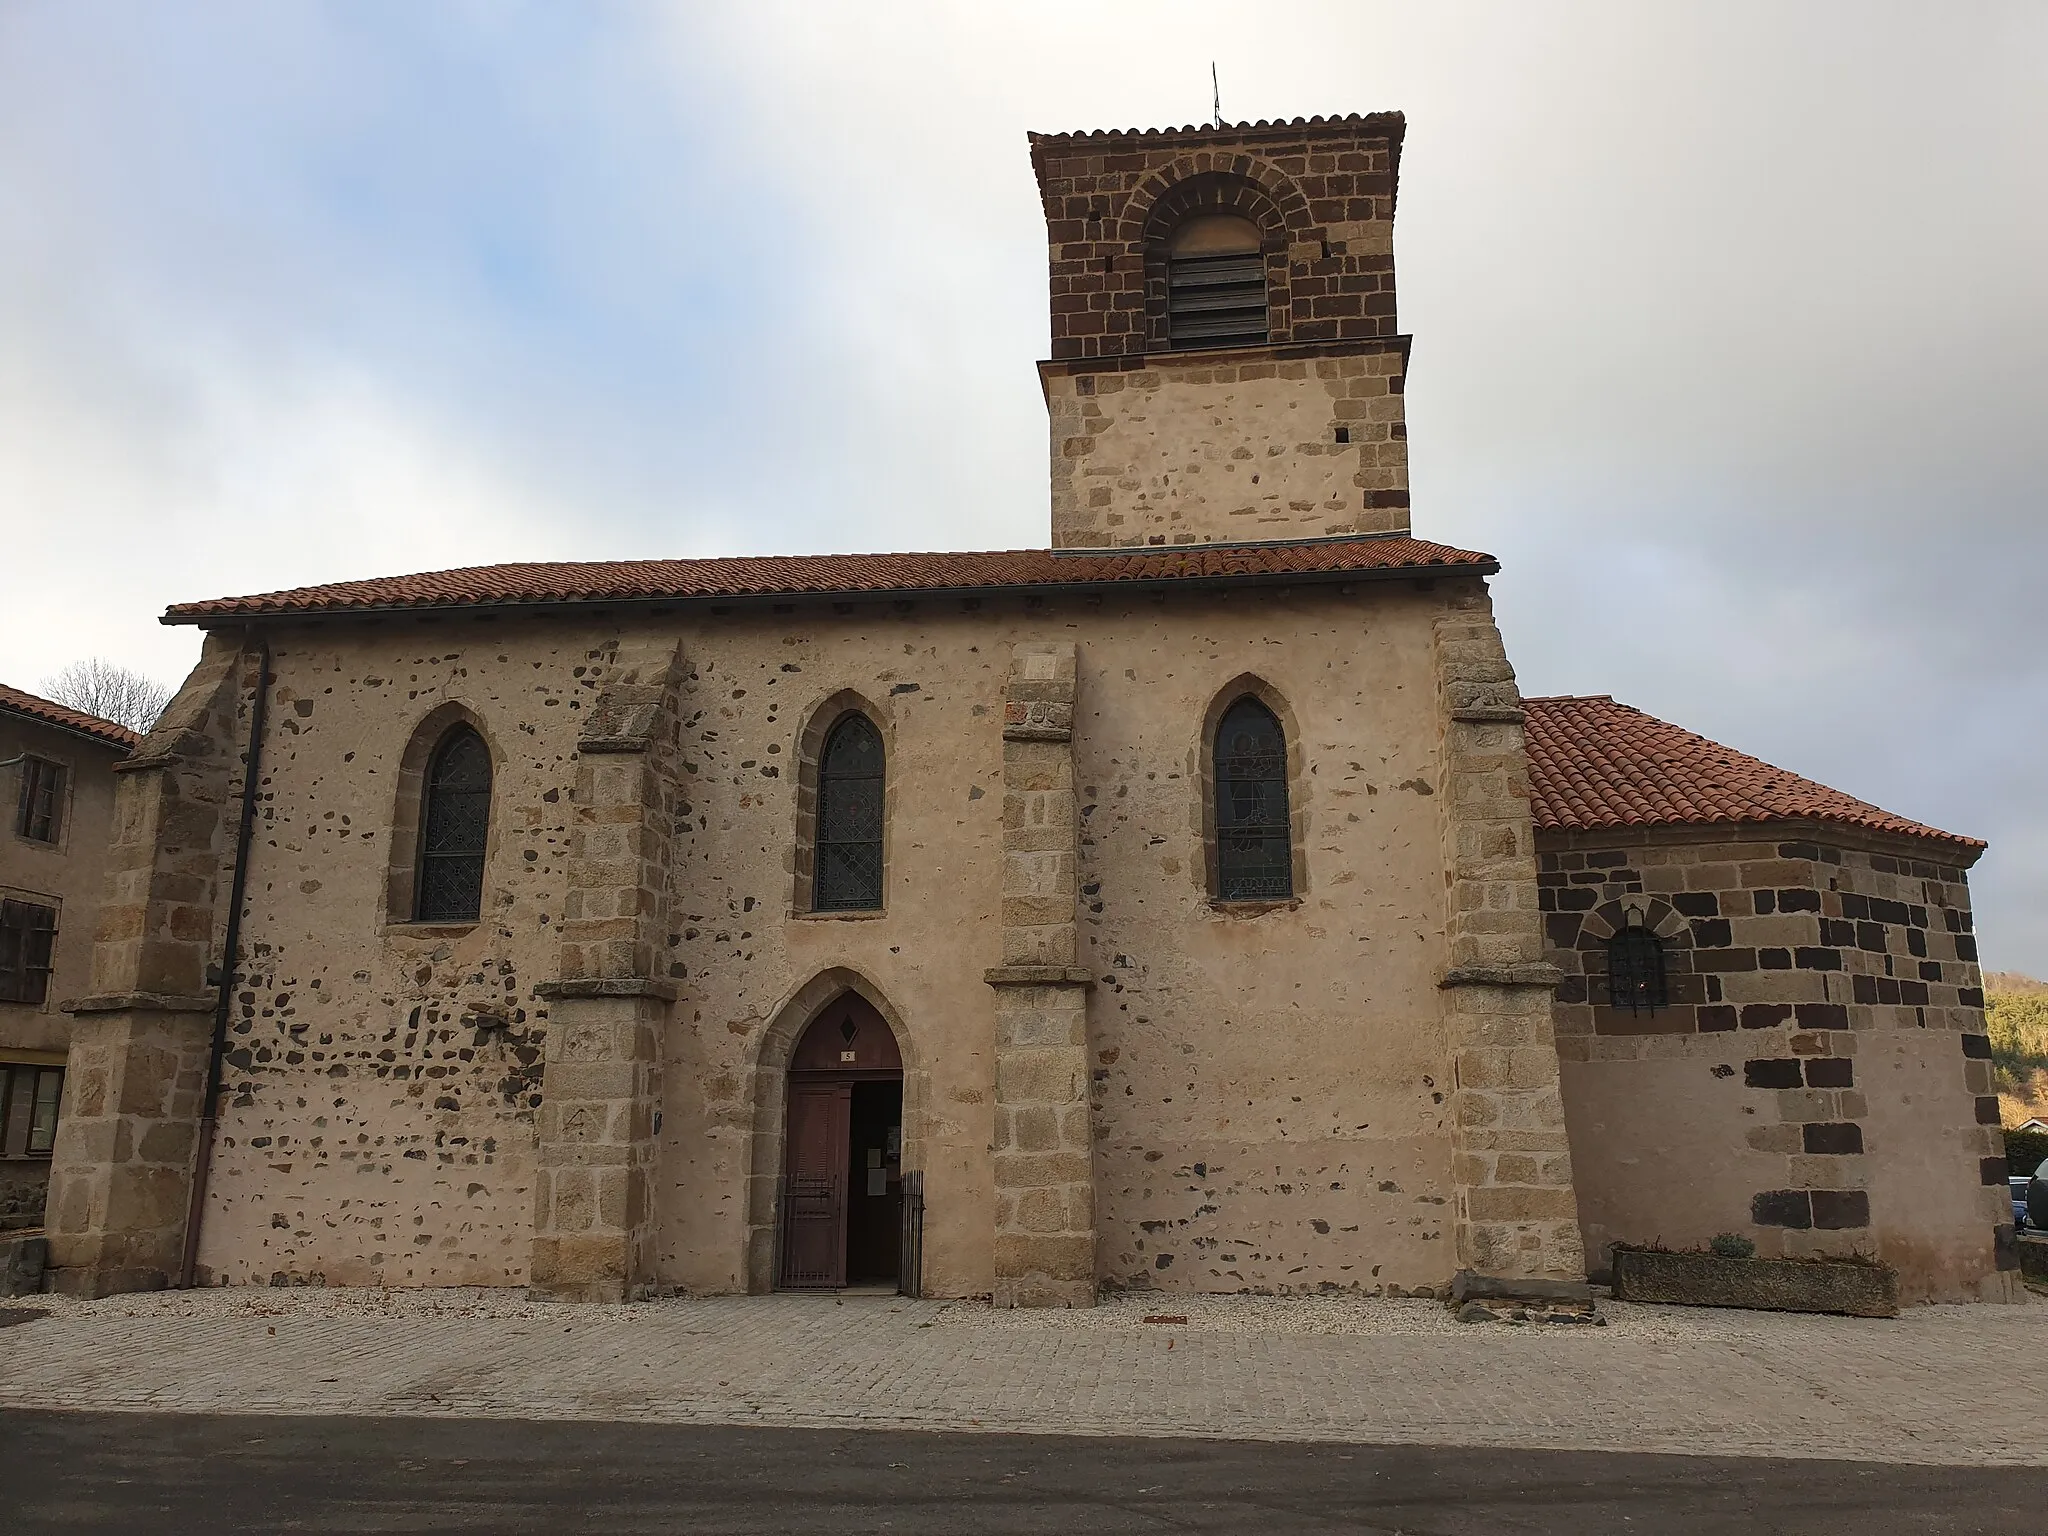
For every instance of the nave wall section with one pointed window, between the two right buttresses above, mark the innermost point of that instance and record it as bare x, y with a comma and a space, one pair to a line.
1273, 1080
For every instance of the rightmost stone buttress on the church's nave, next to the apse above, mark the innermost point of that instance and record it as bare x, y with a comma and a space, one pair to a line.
1517, 1211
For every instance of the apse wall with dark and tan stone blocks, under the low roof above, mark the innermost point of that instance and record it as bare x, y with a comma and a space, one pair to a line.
1820, 1078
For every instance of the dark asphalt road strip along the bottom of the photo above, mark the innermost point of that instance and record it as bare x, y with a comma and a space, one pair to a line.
191, 1474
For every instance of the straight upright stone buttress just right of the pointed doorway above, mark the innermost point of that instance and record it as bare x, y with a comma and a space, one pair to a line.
1046, 1197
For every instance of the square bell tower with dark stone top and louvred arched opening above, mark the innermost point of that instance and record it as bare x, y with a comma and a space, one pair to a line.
1226, 355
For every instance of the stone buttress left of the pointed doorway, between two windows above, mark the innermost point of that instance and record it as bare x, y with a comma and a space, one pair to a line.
593, 1218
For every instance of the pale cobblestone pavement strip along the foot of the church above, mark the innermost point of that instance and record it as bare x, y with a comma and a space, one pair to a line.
1920, 1390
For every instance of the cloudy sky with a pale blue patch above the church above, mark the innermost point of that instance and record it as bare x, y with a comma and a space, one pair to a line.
1730, 323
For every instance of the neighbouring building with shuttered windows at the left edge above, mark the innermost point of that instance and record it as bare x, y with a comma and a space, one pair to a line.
60, 771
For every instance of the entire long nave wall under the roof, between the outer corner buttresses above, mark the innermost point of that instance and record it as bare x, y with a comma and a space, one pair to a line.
1269, 1091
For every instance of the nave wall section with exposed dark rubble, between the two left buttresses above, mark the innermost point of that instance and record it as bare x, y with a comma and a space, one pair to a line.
384, 1076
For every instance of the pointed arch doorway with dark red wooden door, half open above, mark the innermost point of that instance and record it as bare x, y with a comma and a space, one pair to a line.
843, 1154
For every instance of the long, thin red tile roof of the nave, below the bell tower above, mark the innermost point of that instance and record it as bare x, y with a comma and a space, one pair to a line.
828, 577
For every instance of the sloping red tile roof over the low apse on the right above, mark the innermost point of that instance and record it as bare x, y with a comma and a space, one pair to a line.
1601, 765
